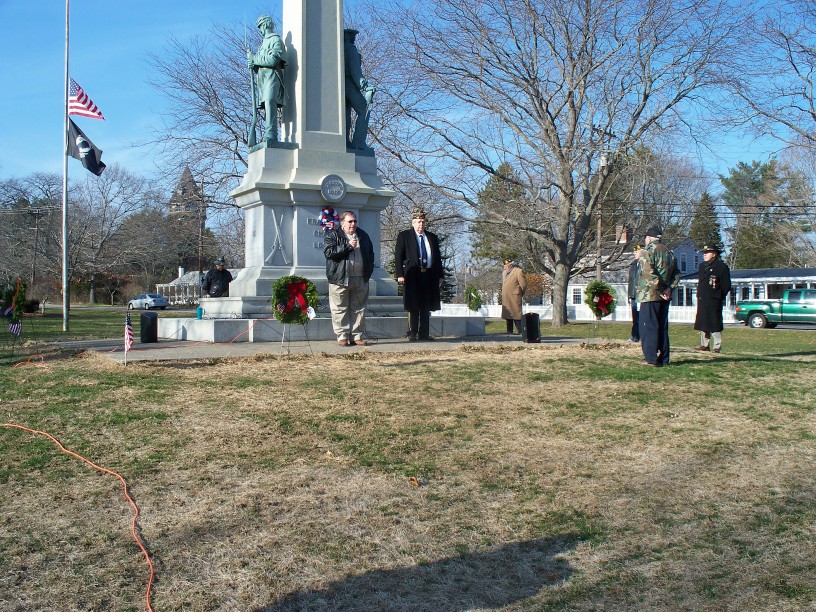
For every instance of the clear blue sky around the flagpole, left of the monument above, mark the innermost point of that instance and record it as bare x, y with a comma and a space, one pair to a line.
109, 44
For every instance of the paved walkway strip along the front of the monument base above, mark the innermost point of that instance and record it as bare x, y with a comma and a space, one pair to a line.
173, 350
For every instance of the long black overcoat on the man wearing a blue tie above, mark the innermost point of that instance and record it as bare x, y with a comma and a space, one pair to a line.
421, 289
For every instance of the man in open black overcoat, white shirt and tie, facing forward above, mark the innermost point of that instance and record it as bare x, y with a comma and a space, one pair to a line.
419, 271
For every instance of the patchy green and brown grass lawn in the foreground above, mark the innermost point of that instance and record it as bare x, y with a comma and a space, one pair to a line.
527, 478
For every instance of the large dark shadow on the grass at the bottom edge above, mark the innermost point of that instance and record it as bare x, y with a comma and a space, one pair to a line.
481, 581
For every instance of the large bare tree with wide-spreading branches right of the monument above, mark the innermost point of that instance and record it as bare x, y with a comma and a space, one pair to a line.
559, 89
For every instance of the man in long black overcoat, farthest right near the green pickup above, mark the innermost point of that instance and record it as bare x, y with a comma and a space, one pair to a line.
713, 286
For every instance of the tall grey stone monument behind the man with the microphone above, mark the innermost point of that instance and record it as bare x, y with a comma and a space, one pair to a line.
315, 160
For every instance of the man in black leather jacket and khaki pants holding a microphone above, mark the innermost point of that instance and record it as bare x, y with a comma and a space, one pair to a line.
349, 256
